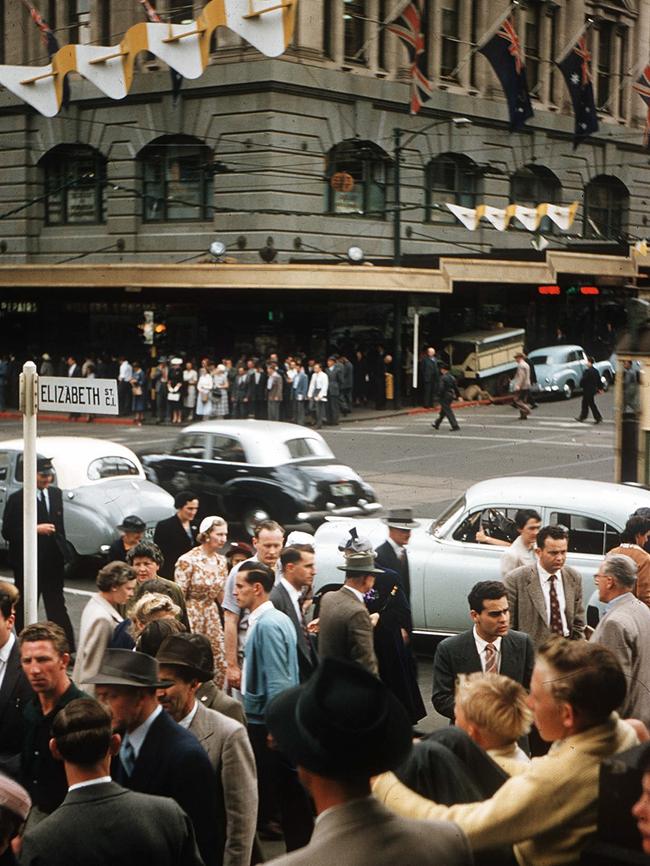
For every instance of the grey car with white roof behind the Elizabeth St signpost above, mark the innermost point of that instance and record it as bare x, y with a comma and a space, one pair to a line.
102, 482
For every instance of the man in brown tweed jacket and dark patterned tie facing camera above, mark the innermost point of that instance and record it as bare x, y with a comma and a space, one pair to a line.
546, 598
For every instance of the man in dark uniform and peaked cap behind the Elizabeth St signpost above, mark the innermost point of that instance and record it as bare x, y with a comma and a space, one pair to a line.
50, 541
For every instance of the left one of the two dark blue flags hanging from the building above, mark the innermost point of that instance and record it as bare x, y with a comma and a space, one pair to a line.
506, 57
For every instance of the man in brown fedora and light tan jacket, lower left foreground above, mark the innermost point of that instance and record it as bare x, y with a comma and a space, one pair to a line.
225, 741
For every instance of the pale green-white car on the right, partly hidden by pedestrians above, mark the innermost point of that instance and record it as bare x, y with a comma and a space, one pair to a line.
445, 560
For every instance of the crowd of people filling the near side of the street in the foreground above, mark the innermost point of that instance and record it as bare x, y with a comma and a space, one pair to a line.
215, 700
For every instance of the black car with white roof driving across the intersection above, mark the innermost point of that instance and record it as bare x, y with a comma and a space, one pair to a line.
247, 471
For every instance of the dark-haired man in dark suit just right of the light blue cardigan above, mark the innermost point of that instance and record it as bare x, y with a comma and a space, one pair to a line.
298, 572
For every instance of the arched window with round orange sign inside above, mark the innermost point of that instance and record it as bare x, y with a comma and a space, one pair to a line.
357, 177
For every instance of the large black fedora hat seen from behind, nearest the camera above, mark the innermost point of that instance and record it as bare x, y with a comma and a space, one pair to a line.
343, 722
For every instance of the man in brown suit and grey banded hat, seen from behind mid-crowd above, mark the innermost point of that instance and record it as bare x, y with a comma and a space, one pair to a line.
345, 628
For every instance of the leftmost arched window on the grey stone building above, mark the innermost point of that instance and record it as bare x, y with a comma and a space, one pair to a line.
75, 182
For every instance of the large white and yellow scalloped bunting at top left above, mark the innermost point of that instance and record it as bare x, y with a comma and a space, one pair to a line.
267, 25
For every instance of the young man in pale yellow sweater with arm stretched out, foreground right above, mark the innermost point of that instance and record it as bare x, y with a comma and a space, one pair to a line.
549, 810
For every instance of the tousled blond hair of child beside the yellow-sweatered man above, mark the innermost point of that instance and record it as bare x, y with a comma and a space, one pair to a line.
494, 703
